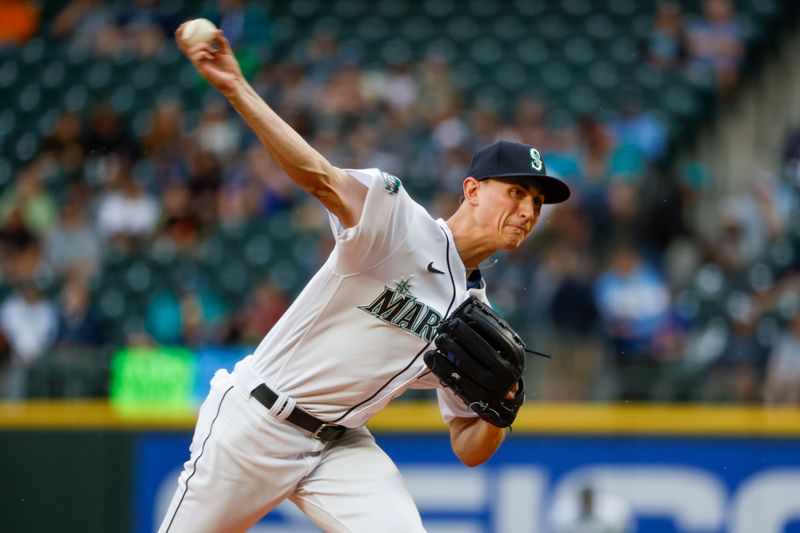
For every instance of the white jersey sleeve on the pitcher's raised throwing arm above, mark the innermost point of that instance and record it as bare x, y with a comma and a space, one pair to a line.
384, 224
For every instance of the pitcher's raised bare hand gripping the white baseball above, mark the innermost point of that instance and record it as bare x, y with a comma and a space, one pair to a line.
216, 64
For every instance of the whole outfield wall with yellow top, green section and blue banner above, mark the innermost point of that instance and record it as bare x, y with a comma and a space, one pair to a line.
86, 467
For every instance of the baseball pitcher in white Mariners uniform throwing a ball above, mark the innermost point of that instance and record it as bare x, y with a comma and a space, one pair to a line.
399, 304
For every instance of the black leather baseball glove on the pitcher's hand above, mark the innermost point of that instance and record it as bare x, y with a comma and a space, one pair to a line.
480, 358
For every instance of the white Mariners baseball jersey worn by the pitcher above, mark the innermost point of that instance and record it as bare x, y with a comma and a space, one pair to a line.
354, 338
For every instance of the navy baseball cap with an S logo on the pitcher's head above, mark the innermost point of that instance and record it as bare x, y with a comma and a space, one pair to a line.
506, 159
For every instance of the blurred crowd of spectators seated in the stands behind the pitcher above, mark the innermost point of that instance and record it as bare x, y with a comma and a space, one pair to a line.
605, 285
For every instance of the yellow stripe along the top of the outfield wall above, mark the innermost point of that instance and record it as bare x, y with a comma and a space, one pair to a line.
577, 419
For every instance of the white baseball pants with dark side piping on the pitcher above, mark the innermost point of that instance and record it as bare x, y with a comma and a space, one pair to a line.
243, 462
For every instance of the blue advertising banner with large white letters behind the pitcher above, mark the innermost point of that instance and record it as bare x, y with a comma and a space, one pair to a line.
658, 484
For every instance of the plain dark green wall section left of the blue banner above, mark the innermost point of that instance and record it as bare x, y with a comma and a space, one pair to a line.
66, 481
